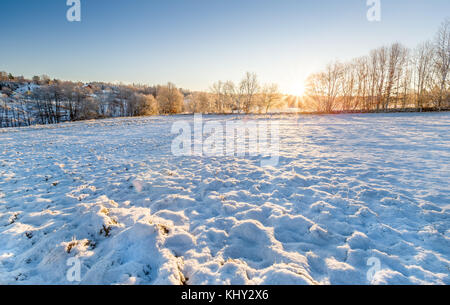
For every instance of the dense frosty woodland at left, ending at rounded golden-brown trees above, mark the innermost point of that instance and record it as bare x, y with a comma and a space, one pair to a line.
44, 101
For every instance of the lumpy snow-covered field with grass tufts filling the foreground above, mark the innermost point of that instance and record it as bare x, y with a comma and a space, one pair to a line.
348, 190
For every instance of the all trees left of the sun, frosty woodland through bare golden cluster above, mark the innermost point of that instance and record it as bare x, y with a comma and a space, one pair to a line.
41, 100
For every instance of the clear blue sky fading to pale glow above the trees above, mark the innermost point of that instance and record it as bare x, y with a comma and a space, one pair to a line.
196, 42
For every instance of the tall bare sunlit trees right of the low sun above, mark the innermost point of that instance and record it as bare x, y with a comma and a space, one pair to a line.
390, 78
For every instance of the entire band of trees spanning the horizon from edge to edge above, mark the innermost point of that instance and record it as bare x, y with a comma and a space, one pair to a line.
390, 78
